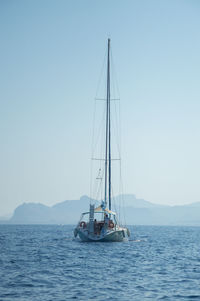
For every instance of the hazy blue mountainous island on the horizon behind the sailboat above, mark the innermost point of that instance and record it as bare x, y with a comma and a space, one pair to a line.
136, 211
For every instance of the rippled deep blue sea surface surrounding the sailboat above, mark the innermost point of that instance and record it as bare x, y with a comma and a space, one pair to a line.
45, 262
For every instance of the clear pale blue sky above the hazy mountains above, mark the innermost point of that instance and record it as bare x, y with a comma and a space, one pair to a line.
51, 54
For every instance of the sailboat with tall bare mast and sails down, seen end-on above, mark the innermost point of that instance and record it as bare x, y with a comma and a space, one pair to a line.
100, 224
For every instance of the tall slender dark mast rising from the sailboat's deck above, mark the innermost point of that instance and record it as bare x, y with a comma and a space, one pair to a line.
108, 136
